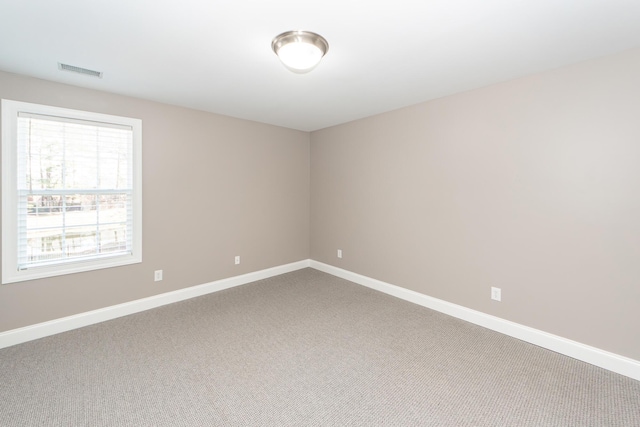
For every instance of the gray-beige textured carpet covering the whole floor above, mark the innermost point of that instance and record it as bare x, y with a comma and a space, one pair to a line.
302, 349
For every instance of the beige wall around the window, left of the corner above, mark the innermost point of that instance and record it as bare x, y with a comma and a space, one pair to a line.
213, 187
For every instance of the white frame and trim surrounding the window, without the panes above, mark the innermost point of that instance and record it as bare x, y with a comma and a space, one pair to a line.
10, 272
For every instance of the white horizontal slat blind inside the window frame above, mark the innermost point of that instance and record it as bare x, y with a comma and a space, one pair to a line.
75, 185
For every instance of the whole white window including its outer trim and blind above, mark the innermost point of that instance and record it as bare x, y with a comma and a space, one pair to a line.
71, 191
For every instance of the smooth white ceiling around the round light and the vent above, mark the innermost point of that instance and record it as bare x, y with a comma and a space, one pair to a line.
216, 56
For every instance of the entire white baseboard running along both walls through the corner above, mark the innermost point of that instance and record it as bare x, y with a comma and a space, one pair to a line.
595, 356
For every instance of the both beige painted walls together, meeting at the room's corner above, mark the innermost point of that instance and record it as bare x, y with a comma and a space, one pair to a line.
531, 185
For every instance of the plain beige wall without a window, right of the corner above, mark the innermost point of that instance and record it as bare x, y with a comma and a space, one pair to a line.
532, 186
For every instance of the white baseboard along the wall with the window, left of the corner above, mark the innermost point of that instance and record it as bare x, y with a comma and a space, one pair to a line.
40, 330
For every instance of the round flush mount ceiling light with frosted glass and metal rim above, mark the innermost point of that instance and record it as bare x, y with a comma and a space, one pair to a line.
300, 51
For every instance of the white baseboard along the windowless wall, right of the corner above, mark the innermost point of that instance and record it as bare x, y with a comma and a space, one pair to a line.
595, 356
